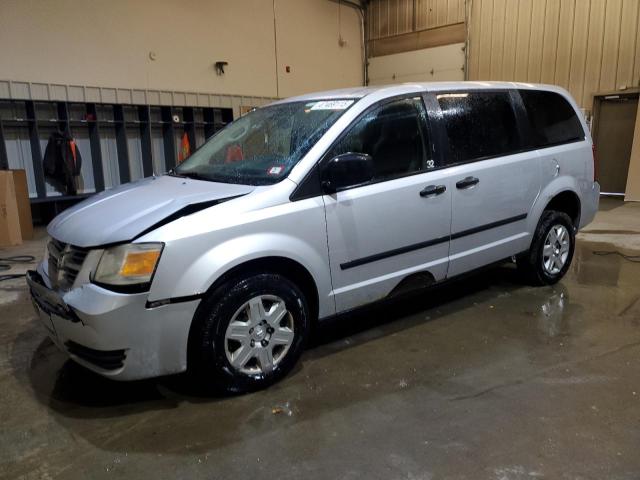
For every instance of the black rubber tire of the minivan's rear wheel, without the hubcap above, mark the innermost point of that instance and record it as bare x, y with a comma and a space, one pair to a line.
530, 263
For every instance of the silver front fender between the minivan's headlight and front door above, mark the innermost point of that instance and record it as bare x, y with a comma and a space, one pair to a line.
201, 247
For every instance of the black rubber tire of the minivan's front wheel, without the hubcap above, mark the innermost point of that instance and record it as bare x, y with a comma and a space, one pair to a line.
208, 360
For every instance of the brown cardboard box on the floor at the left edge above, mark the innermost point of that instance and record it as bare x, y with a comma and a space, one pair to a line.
15, 209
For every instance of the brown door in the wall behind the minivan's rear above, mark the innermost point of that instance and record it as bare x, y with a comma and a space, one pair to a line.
614, 137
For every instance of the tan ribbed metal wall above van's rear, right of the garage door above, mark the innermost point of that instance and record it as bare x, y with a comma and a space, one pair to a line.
586, 46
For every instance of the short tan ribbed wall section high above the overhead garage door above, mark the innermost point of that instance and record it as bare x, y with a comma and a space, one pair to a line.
387, 18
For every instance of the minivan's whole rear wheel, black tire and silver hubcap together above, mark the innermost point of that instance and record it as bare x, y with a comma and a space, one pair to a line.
551, 252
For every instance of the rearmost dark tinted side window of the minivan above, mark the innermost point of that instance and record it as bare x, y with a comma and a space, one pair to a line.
553, 120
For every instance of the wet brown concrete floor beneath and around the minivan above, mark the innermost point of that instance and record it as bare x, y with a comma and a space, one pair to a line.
481, 379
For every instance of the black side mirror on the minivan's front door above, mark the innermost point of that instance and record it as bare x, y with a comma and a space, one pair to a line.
346, 170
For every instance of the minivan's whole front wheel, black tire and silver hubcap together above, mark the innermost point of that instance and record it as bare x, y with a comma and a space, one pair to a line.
249, 333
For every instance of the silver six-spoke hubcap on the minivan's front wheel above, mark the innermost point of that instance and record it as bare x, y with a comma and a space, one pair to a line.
259, 335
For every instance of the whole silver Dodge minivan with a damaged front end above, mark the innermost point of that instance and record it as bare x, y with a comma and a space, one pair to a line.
307, 208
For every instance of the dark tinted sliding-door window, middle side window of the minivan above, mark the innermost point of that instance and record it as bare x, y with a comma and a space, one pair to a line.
479, 125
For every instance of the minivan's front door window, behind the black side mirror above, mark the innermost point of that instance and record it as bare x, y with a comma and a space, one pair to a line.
395, 136
